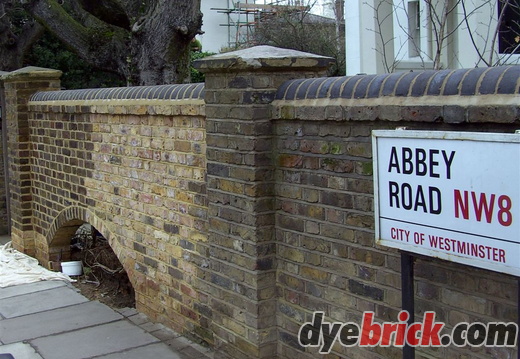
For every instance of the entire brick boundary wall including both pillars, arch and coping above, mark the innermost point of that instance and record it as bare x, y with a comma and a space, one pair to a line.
239, 210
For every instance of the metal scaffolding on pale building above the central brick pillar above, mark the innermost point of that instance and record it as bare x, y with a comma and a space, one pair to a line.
243, 16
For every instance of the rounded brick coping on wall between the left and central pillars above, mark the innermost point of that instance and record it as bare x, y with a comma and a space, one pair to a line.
161, 92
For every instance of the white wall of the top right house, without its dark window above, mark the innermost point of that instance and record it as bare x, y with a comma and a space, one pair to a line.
457, 51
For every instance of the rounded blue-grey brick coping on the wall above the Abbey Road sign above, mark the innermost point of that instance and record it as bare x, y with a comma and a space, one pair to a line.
463, 82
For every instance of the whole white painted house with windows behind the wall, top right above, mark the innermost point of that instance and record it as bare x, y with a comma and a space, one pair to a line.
402, 35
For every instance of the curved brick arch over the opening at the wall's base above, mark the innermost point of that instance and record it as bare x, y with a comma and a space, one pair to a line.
66, 224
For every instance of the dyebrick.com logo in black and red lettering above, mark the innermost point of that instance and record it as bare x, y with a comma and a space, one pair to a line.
427, 333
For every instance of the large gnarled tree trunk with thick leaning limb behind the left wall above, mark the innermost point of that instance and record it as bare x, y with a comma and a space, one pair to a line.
145, 41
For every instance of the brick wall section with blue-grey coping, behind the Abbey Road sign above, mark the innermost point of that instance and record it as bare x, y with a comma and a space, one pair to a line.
327, 256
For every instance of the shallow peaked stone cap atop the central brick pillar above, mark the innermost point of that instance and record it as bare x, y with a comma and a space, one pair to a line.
262, 58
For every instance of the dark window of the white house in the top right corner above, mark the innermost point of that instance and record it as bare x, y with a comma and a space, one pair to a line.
509, 27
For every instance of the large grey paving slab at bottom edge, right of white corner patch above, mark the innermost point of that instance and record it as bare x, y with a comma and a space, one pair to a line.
94, 341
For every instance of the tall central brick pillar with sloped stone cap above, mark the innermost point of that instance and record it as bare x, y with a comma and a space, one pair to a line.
241, 278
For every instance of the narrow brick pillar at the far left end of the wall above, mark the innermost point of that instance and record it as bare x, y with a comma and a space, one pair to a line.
19, 86
